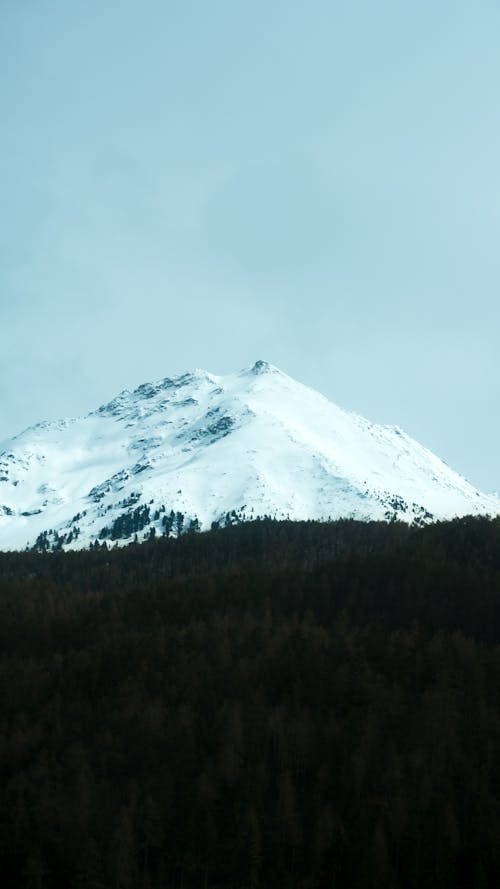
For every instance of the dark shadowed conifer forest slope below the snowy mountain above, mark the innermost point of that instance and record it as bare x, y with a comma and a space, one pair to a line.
274, 704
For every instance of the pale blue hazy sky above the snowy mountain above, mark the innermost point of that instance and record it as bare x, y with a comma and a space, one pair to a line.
186, 183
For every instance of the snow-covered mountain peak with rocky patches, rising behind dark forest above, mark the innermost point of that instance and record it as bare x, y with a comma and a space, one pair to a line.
186, 452
